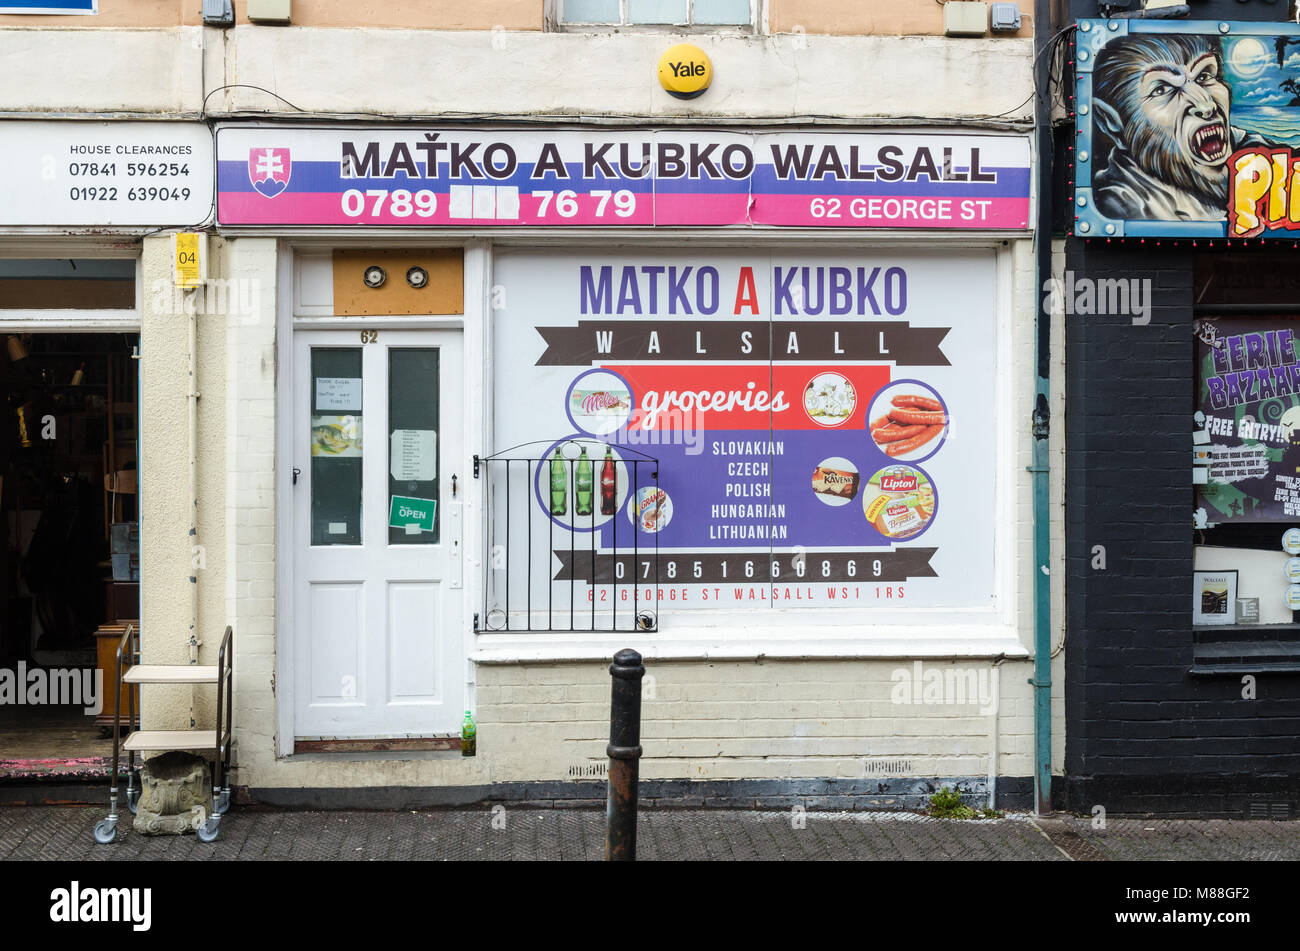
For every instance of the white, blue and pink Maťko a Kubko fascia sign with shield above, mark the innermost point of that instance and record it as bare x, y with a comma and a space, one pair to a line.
482, 177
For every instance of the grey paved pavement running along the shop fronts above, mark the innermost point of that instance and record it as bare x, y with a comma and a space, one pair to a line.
504, 833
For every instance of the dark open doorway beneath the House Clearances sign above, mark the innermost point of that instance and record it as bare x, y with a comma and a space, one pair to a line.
70, 513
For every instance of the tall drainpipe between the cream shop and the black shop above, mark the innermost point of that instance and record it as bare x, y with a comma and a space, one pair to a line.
1042, 415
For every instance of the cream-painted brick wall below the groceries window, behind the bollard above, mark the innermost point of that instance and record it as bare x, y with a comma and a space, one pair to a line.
746, 720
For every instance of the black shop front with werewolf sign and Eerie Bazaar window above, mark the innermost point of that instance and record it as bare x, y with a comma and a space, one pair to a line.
1184, 394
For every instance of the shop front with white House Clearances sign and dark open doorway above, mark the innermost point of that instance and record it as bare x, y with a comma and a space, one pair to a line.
77, 197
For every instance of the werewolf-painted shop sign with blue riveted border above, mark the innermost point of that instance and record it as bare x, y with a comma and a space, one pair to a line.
1188, 129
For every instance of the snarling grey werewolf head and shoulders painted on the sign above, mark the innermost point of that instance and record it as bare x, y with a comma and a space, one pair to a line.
1163, 103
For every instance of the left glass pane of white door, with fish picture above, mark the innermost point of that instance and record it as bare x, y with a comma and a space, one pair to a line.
336, 437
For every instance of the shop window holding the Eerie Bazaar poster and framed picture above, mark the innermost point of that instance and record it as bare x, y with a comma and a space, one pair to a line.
1247, 479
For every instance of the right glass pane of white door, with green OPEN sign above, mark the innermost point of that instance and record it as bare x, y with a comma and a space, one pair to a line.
414, 448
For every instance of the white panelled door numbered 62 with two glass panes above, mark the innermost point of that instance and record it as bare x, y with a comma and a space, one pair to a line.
378, 442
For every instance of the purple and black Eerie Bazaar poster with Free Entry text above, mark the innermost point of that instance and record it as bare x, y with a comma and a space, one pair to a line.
1249, 405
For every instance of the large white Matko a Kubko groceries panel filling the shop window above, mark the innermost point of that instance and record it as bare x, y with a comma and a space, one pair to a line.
781, 431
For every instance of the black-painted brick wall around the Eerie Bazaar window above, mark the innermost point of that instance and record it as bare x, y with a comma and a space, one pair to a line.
1142, 735
